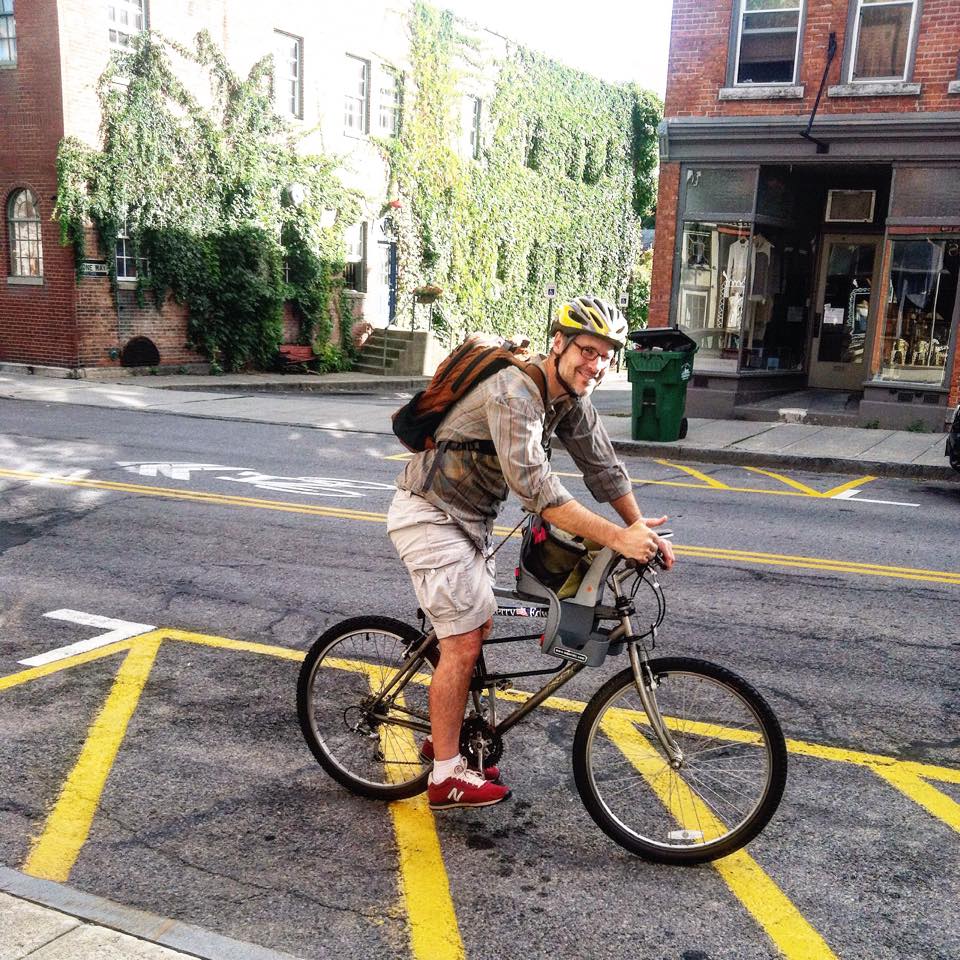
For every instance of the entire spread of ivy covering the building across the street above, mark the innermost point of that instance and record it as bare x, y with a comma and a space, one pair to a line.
222, 202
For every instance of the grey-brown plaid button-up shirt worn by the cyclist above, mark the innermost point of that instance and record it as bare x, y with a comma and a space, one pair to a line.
507, 408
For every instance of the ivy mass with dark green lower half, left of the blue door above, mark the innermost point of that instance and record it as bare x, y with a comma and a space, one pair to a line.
223, 212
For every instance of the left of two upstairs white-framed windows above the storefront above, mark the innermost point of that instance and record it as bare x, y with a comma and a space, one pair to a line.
768, 41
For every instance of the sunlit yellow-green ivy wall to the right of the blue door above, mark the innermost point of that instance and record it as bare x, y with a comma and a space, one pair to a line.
566, 171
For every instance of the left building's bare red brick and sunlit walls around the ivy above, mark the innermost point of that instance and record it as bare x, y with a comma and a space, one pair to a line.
338, 80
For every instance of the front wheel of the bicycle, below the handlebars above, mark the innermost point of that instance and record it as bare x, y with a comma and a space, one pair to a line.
707, 804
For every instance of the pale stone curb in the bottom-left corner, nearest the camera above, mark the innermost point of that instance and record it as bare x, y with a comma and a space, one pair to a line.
183, 937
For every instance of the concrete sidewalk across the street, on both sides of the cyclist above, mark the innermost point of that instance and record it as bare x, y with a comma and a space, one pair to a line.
294, 401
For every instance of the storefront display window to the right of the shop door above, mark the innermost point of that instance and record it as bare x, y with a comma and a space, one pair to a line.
921, 297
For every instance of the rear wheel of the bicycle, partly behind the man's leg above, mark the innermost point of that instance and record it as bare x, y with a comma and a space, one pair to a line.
346, 666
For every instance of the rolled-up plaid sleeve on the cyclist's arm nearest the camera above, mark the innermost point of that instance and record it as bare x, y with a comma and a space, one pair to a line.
516, 428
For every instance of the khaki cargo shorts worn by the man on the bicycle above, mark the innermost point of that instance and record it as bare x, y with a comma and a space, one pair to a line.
452, 579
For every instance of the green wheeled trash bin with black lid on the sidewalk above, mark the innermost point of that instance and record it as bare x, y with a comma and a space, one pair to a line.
659, 370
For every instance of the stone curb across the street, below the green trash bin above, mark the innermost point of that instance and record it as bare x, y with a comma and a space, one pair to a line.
878, 468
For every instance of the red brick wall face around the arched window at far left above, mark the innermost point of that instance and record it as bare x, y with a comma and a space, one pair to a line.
36, 322
